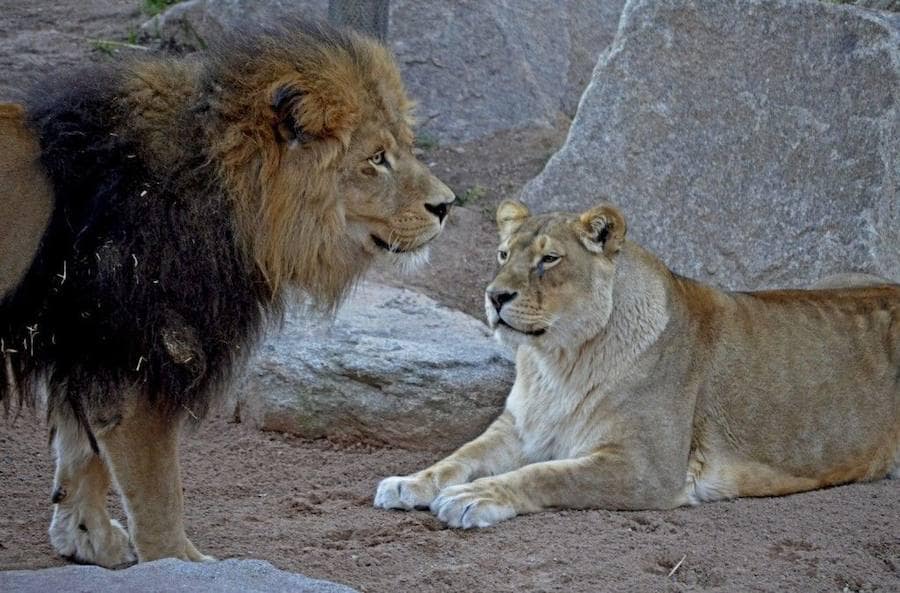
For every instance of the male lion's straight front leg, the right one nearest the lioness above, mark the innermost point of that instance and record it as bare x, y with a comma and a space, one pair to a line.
142, 452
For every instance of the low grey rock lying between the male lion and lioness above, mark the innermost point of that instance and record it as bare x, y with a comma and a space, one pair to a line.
393, 367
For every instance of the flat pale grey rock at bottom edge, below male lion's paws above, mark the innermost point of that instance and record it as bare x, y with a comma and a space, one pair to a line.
165, 576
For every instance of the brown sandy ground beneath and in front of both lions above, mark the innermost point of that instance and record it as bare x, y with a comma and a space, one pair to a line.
306, 506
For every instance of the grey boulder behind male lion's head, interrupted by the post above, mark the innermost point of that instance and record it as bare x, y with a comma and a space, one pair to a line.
476, 68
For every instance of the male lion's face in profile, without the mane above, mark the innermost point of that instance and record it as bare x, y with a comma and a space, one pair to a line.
394, 205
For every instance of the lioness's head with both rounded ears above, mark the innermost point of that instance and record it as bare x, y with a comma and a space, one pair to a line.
555, 281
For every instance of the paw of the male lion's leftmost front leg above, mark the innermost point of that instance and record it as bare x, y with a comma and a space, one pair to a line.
91, 540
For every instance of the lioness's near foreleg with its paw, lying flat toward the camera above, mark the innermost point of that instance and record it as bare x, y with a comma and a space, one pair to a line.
604, 479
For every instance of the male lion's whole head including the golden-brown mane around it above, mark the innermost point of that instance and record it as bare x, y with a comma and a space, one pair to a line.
318, 147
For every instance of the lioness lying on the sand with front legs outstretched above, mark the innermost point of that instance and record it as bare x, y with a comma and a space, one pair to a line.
640, 389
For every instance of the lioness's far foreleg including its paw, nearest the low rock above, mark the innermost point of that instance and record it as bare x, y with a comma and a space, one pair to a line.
497, 450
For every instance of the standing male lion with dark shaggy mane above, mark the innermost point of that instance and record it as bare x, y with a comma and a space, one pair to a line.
156, 215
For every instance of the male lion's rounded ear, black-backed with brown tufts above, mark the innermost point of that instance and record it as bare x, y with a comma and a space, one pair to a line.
318, 109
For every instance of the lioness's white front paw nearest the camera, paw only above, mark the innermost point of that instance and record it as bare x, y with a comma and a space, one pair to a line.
478, 504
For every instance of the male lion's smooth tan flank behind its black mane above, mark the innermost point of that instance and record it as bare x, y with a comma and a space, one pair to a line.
27, 199
